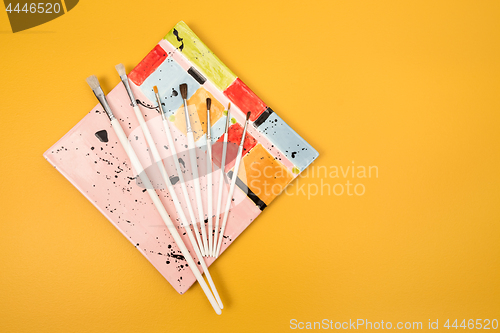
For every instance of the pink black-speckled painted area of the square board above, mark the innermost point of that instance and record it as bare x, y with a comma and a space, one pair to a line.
102, 172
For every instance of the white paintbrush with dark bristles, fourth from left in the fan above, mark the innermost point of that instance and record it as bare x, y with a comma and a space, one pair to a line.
194, 167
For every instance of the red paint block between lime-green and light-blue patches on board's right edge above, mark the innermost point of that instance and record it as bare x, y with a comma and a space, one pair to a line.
245, 99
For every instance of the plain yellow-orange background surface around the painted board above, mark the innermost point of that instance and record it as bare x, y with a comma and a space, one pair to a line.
409, 86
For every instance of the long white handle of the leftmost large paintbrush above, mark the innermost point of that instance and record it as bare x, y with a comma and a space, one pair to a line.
163, 213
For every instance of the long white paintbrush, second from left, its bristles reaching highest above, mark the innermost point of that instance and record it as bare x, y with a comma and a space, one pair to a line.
158, 160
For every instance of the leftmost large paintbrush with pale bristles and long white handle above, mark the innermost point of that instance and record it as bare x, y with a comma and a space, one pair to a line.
122, 137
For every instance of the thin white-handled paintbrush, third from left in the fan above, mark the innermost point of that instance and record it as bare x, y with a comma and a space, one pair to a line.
179, 171
